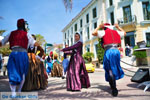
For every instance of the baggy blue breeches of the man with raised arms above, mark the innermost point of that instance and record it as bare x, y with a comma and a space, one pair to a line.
111, 62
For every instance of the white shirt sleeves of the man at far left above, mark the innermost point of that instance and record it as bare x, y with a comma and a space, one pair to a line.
31, 40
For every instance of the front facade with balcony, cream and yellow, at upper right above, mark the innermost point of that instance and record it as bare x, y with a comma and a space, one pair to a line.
133, 16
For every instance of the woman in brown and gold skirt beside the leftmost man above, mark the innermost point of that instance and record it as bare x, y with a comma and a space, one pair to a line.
35, 78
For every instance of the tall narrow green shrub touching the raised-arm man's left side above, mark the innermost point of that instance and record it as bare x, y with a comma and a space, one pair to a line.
100, 52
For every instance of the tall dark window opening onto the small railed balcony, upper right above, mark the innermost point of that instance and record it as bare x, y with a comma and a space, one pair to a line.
127, 14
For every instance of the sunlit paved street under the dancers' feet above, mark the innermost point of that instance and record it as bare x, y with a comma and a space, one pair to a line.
99, 89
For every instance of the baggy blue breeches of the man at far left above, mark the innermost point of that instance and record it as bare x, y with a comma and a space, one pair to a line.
18, 64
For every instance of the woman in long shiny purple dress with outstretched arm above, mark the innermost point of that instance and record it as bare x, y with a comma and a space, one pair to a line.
77, 76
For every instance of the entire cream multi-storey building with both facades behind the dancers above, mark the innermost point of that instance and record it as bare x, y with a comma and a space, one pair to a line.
132, 15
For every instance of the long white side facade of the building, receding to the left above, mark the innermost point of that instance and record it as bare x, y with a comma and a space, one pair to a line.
84, 23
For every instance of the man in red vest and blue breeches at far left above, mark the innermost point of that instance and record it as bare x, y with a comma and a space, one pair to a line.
18, 60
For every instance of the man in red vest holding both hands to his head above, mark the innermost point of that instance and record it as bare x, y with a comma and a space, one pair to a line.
111, 39
